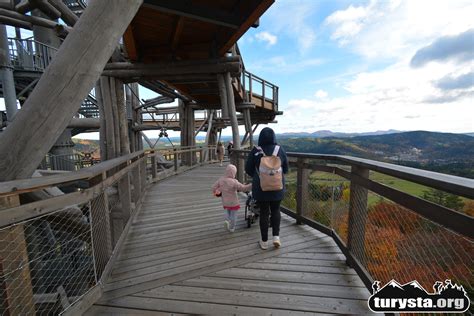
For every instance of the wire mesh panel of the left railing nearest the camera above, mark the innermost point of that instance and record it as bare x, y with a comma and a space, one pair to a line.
46, 263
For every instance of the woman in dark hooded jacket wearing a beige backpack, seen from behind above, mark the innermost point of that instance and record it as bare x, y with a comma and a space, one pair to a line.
265, 164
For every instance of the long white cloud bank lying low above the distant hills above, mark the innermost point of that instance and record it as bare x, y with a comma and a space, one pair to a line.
397, 97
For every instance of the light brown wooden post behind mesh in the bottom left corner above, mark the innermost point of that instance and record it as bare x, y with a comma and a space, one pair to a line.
15, 287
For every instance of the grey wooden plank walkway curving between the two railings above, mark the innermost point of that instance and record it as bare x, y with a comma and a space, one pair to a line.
179, 259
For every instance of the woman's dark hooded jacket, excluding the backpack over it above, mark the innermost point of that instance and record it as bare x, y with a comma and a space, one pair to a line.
267, 142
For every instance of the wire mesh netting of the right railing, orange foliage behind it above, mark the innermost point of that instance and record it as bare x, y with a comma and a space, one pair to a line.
391, 241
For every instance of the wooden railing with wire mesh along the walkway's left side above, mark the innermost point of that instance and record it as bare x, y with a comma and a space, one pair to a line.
58, 250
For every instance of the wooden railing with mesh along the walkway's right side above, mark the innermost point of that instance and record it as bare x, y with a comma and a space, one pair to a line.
385, 231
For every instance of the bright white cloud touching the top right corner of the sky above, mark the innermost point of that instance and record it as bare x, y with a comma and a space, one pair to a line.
390, 29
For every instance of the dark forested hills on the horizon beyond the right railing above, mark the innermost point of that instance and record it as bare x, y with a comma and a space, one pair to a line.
441, 152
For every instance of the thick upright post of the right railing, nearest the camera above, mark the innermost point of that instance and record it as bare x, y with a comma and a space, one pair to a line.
357, 215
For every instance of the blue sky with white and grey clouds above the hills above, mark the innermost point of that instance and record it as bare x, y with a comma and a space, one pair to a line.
360, 66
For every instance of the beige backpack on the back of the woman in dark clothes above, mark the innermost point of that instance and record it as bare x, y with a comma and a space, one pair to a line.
270, 172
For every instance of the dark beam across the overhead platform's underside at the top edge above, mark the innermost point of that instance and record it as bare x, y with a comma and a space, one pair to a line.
196, 12
